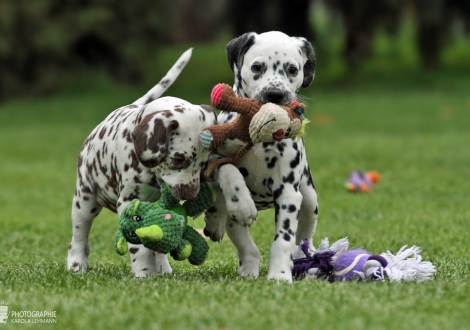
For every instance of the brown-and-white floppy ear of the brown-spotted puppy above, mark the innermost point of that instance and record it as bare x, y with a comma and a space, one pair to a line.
151, 138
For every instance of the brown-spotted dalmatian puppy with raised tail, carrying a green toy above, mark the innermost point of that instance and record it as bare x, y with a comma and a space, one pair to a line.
130, 155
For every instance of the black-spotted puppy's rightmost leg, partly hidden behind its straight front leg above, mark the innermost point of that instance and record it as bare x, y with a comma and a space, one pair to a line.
309, 209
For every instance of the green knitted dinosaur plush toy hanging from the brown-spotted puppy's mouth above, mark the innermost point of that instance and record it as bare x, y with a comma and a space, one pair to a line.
163, 226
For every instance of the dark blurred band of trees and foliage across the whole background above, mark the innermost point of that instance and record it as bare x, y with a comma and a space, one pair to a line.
44, 42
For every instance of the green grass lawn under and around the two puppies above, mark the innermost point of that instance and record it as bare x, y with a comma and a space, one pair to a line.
414, 128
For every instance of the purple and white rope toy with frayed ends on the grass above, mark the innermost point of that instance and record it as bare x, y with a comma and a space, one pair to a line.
338, 263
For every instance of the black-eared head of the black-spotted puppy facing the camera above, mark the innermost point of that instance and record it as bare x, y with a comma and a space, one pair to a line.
271, 66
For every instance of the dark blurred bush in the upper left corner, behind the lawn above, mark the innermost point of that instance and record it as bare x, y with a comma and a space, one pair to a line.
41, 40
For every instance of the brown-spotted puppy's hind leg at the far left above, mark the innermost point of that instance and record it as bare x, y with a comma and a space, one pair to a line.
84, 210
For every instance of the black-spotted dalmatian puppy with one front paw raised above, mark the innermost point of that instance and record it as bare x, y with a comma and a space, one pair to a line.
270, 67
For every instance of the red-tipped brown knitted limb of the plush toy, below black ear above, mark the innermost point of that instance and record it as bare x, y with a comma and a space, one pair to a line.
223, 98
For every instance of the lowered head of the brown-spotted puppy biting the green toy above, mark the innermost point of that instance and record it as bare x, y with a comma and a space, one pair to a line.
168, 142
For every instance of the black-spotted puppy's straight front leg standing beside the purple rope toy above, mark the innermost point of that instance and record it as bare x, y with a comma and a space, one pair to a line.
287, 205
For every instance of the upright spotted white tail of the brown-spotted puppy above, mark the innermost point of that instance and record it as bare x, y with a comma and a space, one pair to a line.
166, 81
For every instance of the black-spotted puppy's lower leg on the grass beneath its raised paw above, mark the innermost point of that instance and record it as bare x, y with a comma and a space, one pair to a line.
248, 254
